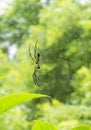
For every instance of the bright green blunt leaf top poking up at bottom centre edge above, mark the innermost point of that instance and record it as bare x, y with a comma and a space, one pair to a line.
40, 125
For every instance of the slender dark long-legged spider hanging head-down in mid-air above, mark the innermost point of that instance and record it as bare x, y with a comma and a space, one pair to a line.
36, 59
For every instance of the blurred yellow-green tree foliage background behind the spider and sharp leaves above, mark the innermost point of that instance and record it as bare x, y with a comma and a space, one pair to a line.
63, 31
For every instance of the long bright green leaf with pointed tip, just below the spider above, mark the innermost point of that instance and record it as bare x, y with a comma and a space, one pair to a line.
9, 102
